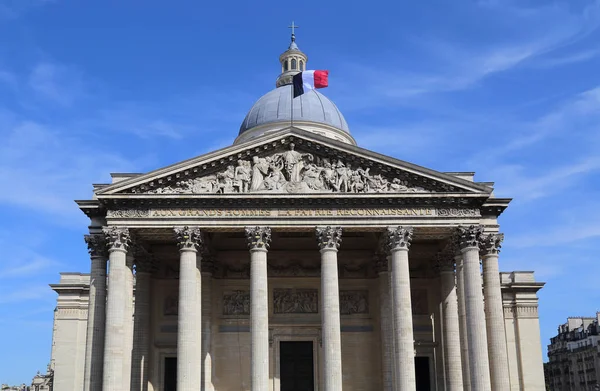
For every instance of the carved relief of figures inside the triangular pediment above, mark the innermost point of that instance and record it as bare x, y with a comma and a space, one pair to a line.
291, 172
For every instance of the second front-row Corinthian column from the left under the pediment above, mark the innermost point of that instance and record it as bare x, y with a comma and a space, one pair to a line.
189, 240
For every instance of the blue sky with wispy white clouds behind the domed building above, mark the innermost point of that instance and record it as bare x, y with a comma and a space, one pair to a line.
509, 89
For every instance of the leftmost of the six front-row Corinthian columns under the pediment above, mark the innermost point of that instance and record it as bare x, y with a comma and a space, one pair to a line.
116, 310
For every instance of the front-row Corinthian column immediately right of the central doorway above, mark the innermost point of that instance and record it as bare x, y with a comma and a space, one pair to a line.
329, 240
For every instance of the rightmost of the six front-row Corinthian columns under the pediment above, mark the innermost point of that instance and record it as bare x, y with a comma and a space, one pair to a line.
479, 367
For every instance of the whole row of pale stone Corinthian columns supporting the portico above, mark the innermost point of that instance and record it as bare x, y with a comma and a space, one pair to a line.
474, 346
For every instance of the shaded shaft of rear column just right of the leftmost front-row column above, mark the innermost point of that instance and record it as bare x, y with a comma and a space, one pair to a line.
141, 327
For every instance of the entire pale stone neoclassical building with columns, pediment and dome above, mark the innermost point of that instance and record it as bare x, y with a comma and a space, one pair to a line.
294, 260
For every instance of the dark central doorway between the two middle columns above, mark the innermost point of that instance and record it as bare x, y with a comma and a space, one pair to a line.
296, 369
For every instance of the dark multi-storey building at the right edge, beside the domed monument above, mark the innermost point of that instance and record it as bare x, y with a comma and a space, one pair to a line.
574, 356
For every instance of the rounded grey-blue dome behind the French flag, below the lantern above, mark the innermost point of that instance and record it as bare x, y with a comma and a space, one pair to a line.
310, 109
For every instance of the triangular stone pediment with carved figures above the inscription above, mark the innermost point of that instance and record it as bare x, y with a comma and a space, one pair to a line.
292, 161
